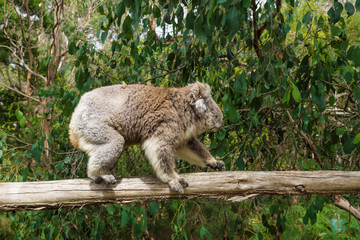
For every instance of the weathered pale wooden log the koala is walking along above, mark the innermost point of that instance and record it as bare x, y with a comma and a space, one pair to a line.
230, 185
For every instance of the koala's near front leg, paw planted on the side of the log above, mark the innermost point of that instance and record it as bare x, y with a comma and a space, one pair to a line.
161, 158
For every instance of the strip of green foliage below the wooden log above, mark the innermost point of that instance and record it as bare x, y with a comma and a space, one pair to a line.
282, 219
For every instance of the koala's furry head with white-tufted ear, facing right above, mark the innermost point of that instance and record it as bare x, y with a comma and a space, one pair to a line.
206, 110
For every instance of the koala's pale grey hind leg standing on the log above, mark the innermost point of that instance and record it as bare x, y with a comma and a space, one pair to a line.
104, 146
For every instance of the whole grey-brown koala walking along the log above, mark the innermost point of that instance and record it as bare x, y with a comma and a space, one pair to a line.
165, 121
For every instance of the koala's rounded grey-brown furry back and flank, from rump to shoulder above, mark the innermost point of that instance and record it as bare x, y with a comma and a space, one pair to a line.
132, 110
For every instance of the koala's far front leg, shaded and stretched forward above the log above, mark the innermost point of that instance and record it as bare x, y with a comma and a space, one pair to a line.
195, 153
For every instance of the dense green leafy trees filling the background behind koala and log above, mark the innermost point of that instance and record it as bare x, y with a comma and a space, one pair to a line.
285, 73
